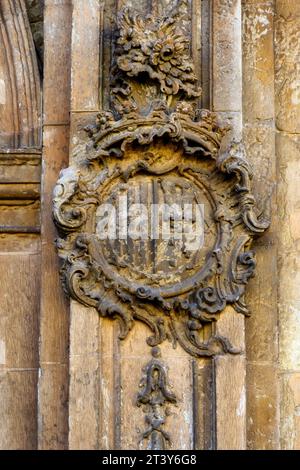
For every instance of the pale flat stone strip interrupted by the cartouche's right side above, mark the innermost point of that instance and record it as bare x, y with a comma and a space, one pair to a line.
227, 101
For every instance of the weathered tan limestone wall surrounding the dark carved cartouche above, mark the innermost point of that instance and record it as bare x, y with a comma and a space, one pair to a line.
249, 63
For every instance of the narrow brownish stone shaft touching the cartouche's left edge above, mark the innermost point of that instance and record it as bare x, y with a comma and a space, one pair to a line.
54, 321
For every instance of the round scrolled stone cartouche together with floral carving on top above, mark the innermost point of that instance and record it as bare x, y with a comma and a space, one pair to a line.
154, 145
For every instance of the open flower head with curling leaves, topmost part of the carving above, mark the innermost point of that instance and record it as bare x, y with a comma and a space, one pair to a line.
156, 46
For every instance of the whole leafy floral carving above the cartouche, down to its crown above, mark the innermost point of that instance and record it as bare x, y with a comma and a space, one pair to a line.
154, 51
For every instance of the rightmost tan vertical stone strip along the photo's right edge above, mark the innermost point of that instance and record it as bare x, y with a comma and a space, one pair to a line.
287, 54
